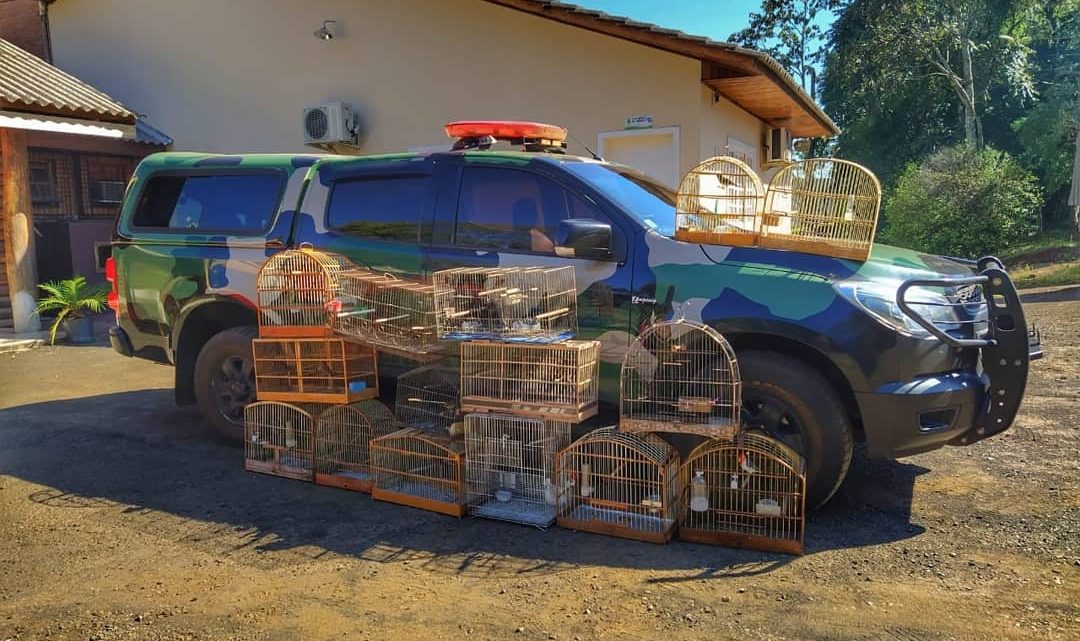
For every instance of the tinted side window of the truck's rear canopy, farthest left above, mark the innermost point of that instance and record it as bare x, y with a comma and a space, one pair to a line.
221, 202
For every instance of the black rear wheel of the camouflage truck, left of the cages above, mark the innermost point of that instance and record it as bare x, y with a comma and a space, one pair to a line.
225, 380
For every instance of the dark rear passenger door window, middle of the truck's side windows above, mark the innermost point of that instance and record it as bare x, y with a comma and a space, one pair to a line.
387, 208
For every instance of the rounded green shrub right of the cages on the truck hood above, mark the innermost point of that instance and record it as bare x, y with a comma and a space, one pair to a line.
963, 202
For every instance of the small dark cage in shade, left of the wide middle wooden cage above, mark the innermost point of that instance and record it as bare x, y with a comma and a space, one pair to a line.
428, 398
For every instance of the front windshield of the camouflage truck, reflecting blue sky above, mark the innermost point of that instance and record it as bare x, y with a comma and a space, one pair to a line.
643, 198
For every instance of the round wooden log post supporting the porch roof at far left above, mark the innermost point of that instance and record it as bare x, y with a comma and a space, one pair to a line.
19, 230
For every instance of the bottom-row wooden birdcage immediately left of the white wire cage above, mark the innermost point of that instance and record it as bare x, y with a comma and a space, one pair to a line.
421, 470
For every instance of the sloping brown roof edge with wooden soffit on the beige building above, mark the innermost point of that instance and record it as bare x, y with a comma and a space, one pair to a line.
751, 79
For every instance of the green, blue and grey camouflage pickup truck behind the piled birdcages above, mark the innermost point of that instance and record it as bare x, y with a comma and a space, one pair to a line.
907, 352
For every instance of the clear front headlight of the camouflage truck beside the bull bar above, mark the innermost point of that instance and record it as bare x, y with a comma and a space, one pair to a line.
880, 302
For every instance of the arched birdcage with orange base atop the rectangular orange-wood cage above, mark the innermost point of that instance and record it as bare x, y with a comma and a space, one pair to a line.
294, 289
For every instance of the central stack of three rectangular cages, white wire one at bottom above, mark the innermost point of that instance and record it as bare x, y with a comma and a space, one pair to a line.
525, 381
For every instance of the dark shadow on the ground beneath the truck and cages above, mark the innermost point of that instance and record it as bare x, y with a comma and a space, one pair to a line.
134, 459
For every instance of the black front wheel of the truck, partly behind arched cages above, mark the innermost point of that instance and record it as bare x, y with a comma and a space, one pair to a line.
788, 400
